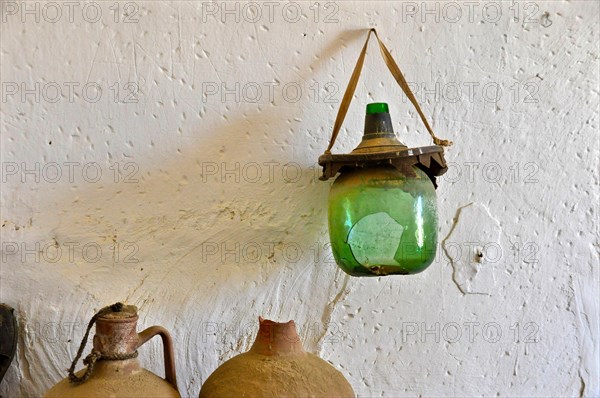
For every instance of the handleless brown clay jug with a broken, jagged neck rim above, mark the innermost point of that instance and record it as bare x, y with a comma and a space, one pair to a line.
276, 366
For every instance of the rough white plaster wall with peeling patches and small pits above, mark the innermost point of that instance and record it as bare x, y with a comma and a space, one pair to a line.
208, 212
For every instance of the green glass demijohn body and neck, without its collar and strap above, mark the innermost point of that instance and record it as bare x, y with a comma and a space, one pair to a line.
382, 218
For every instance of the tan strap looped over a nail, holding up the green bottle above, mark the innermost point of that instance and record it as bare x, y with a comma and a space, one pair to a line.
395, 70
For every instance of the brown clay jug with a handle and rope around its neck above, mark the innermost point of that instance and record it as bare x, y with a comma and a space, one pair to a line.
113, 369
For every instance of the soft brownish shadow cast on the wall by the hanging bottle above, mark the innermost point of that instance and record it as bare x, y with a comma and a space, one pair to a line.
235, 185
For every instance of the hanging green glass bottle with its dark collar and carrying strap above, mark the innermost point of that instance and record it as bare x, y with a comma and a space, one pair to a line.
382, 210
